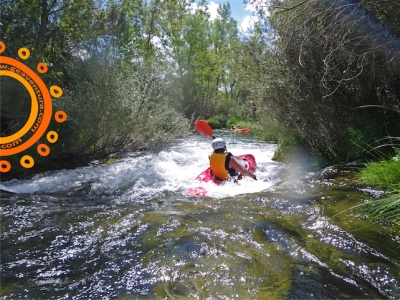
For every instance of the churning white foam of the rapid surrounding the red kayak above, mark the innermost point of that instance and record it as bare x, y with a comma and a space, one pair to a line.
173, 169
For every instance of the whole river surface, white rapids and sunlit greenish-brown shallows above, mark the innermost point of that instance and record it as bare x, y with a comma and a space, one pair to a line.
129, 230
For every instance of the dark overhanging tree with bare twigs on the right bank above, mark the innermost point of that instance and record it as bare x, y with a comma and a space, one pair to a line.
331, 58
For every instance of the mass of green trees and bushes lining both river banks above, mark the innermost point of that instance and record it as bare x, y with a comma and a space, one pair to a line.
315, 75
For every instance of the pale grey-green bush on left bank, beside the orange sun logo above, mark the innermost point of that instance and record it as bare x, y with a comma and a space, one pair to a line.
109, 110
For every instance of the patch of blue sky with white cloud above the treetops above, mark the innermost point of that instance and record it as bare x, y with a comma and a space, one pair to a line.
241, 12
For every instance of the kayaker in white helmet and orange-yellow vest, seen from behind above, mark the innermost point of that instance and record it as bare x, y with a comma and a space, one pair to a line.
224, 165
